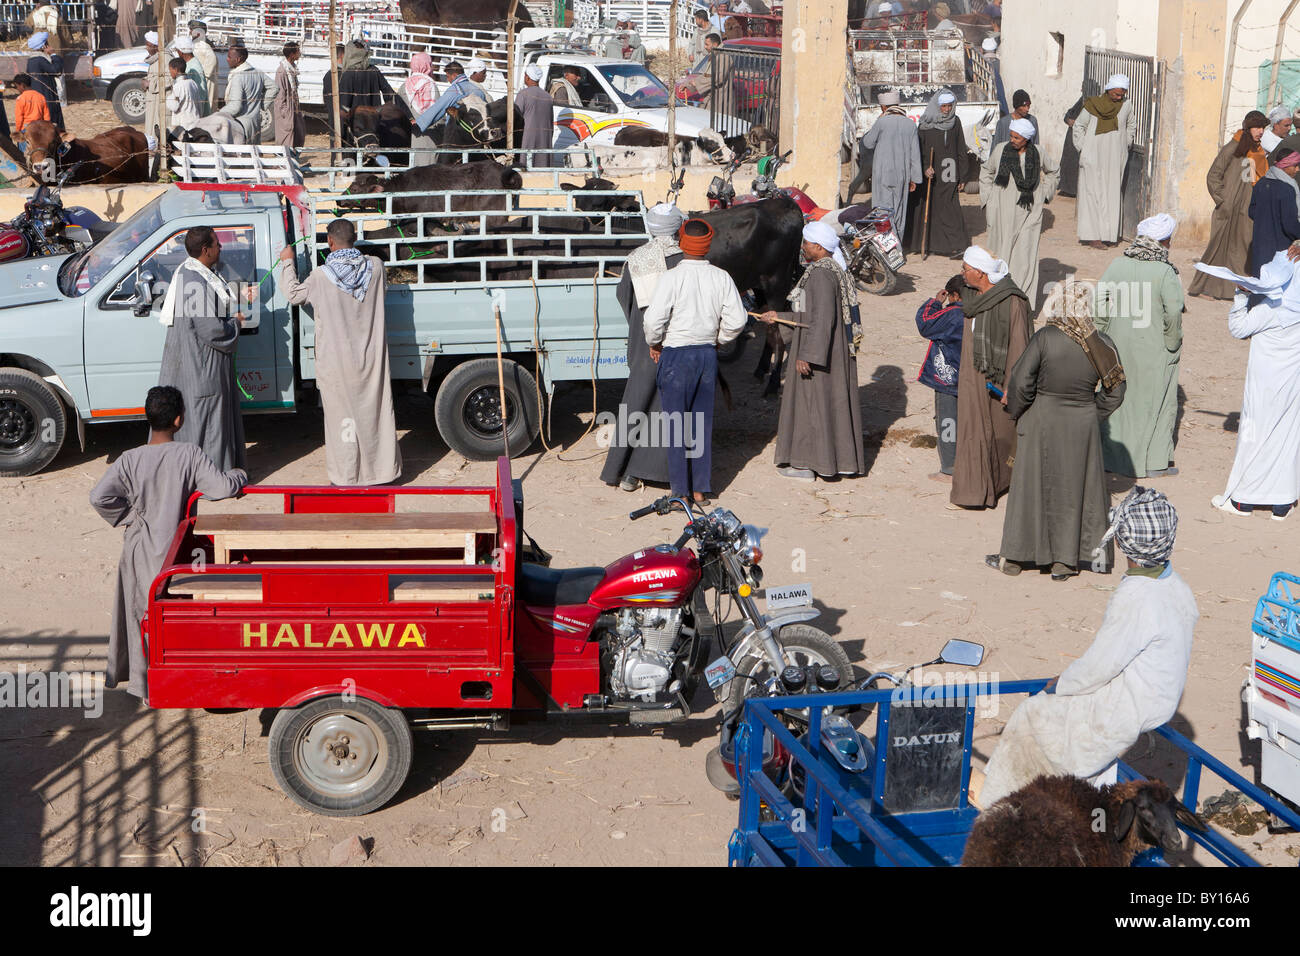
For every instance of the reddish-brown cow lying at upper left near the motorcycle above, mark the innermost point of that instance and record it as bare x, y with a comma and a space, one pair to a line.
120, 155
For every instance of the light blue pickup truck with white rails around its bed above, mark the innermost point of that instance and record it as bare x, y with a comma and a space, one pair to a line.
81, 339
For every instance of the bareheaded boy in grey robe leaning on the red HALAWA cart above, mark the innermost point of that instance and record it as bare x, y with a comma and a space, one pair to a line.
148, 490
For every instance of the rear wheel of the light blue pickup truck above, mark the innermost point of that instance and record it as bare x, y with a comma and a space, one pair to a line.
467, 410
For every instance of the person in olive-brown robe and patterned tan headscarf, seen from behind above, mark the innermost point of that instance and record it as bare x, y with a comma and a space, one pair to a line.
1056, 513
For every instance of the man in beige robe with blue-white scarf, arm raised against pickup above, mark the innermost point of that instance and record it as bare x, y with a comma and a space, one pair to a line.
346, 296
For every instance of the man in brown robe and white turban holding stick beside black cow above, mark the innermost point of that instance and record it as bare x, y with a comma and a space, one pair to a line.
820, 431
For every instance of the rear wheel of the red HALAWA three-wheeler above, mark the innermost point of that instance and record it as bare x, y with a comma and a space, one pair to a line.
341, 758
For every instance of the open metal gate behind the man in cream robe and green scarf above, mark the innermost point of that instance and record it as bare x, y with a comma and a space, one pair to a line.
1146, 83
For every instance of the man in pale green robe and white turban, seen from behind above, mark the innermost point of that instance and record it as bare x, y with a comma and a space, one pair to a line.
1141, 306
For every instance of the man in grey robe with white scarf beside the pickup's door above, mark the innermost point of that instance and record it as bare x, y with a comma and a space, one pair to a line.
200, 352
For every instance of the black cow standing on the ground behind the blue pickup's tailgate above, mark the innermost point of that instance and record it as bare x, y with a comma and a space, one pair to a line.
759, 246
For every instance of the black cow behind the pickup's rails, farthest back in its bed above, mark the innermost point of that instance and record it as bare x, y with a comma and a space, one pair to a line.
484, 175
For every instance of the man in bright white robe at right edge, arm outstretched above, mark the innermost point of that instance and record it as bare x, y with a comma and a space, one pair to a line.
1267, 468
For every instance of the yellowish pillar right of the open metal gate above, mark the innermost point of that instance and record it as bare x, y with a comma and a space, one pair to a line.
1190, 41
